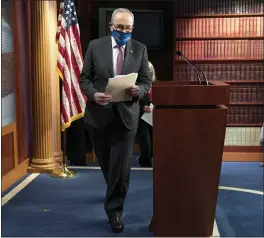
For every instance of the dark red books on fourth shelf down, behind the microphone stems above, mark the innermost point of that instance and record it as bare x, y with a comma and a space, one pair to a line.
224, 72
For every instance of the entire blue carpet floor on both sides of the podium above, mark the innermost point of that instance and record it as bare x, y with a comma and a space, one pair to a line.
74, 207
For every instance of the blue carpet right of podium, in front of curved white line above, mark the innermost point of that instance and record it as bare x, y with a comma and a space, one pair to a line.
239, 214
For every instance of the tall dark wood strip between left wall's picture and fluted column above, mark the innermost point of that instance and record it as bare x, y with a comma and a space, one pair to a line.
22, 80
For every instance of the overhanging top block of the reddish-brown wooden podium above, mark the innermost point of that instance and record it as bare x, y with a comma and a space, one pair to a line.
173, 93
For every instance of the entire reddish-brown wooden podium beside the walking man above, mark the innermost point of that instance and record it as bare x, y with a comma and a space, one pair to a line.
189, 122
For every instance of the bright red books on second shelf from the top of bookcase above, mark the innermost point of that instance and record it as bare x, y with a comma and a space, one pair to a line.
219, 27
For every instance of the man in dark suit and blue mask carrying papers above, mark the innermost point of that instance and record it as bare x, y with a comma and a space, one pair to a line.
115, 124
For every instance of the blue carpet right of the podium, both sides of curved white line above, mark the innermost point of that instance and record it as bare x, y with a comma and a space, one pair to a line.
240, 213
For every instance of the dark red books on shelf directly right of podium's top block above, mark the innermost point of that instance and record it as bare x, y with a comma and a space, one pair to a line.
248, 93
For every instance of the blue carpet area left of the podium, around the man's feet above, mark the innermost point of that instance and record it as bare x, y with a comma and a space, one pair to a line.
74, 207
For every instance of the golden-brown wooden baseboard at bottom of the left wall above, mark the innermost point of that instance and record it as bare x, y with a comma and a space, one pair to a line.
15, 174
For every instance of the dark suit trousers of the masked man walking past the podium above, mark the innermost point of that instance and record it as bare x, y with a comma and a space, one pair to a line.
114, 146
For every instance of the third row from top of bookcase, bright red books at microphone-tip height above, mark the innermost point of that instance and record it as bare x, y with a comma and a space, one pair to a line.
222, 49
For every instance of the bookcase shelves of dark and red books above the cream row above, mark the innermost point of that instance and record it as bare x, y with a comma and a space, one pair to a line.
225, 39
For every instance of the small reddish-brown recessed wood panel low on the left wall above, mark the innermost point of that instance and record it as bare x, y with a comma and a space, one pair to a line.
7, 154
